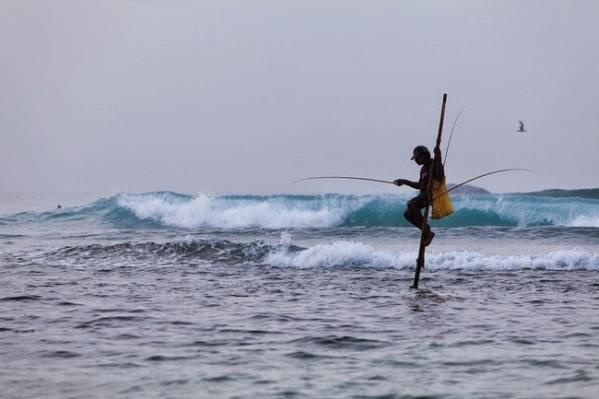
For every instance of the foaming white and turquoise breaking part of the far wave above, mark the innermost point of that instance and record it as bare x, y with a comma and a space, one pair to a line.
327, 211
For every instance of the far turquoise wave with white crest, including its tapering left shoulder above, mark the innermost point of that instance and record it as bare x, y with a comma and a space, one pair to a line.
168, 209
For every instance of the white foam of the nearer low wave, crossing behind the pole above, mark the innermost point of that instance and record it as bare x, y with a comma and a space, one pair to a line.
347, 253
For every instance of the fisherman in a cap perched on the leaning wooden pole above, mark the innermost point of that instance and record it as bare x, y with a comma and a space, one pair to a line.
413, 214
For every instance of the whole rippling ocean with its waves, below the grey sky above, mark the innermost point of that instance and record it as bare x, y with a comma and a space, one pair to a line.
168, 295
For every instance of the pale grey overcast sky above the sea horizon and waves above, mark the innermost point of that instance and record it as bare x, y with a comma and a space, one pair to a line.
245, 96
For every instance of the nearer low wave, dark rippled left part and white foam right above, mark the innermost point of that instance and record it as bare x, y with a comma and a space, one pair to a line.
337, 254
